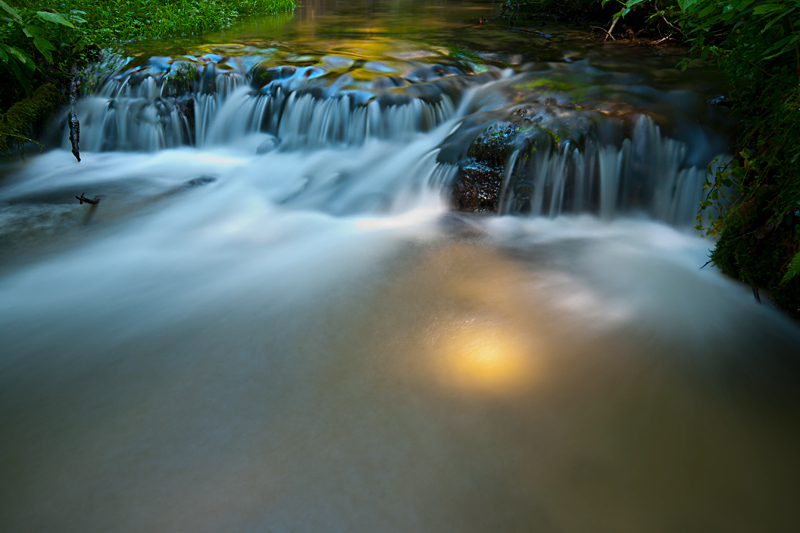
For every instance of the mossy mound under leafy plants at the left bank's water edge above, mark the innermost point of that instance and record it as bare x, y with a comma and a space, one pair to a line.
38, 106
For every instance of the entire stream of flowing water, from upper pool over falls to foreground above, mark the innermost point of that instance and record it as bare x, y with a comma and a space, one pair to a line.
273, 320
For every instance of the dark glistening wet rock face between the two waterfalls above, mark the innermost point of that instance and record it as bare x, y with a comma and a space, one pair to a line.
478, 187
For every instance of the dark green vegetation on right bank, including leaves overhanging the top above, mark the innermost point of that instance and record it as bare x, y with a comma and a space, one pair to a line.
756, 44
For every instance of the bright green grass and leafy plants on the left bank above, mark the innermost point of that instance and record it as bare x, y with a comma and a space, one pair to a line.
41, 40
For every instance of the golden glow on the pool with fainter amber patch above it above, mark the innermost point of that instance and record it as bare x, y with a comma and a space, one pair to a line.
489, 348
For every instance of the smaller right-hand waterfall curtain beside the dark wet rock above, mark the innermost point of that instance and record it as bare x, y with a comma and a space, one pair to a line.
648, 173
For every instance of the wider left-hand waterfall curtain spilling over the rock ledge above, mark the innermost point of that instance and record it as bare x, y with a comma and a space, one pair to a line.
136, 112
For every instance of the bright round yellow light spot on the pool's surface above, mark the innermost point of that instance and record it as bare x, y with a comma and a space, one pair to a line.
487, 357
